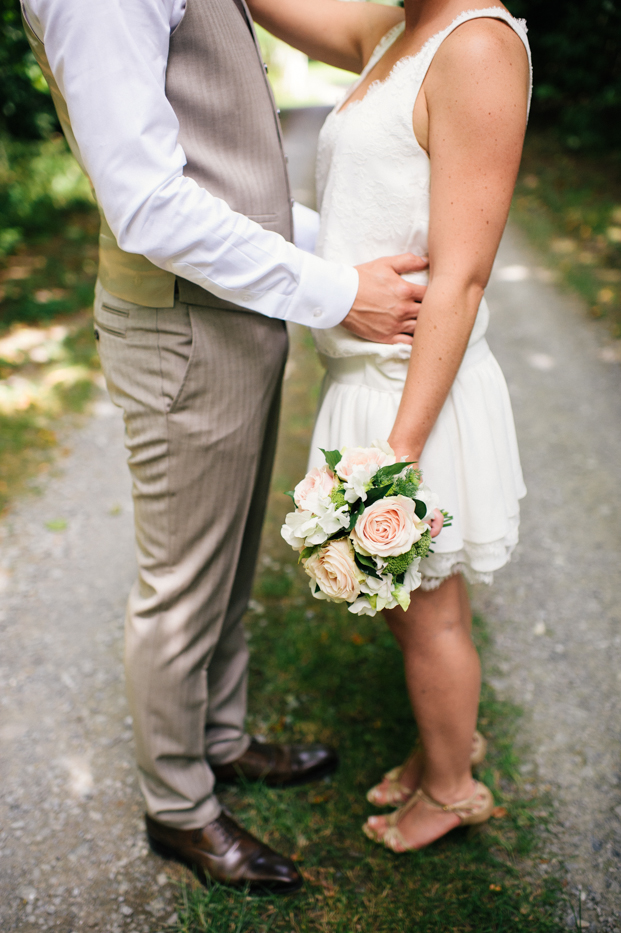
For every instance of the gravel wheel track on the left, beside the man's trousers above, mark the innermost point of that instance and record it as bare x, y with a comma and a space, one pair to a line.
72, 848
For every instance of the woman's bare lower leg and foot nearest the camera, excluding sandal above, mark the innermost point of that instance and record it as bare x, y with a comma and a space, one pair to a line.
443, 677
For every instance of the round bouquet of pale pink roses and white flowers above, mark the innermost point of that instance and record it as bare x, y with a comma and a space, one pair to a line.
360, 527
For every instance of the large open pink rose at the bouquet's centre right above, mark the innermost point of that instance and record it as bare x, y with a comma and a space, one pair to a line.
388, 527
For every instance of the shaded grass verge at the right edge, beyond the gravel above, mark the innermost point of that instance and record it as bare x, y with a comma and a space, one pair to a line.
569, 204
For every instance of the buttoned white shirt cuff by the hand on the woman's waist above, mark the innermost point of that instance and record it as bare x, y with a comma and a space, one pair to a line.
325, 293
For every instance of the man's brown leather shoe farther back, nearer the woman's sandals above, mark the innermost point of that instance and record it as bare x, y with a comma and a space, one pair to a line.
279, 765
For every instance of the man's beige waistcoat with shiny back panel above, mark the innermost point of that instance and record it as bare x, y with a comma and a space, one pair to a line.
229, 131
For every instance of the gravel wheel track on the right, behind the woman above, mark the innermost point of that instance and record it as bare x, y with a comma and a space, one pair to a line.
556, 610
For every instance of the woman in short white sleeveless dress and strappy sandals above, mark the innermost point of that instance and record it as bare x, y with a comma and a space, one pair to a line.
422, 157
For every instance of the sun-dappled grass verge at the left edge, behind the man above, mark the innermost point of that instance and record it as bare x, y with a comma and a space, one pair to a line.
48, 253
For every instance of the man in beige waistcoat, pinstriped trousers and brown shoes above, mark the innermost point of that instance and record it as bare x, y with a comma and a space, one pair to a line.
166, 105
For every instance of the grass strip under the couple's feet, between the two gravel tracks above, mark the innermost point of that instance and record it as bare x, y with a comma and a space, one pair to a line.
320, 674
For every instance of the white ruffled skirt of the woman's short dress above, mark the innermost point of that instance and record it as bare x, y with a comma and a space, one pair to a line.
470, 460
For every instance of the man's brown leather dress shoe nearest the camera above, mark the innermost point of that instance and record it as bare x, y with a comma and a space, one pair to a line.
223, 851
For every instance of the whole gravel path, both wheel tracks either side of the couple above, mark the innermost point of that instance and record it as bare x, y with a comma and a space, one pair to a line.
72, 849
